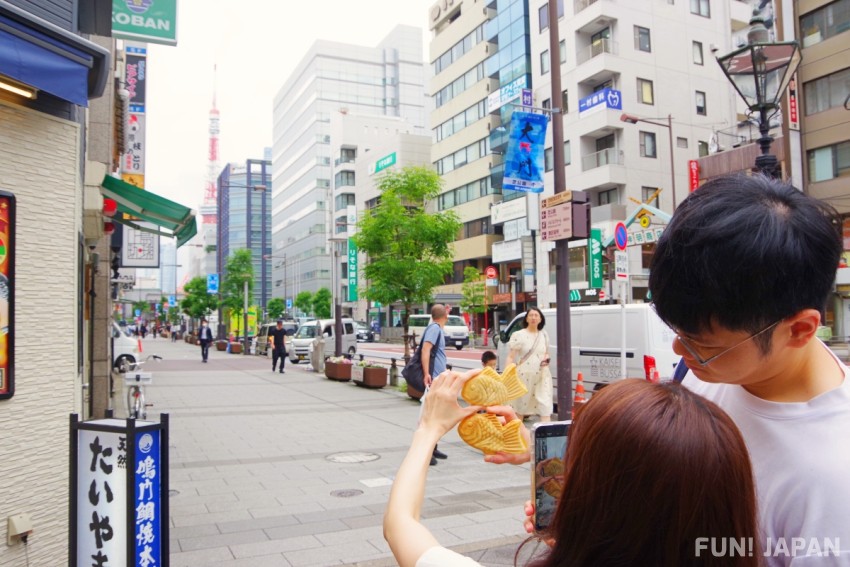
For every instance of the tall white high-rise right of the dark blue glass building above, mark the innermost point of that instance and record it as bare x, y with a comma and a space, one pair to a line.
384, 80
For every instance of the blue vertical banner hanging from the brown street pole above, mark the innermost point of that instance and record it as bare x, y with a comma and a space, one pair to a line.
524, 160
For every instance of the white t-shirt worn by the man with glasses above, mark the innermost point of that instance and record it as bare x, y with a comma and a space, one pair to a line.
801, 460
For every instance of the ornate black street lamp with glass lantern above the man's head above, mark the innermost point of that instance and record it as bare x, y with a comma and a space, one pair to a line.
760, 72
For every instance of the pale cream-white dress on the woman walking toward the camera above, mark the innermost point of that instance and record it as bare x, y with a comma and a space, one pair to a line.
538, 400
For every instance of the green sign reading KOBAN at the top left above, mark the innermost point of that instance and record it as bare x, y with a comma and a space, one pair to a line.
152, 21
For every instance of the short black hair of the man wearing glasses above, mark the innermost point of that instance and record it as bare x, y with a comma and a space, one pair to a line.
743, 252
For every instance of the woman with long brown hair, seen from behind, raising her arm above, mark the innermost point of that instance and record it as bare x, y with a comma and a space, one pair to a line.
652, 473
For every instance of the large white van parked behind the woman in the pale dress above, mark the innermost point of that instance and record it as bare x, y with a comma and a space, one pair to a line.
596, 334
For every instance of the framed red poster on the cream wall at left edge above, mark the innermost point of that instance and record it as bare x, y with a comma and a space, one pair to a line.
7, 294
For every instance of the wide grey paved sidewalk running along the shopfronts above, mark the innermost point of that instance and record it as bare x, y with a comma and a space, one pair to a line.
293, 469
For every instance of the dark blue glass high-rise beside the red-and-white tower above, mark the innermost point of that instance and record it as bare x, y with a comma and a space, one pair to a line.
244, 221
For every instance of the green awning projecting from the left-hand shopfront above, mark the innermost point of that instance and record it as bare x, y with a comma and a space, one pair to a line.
177, 220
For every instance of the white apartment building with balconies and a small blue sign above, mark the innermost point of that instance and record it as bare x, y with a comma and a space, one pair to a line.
649, 59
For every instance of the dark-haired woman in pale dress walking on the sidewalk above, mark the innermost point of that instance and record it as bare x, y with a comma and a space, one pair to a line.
529, 349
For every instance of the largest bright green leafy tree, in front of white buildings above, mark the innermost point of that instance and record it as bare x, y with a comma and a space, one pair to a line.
409, 250
